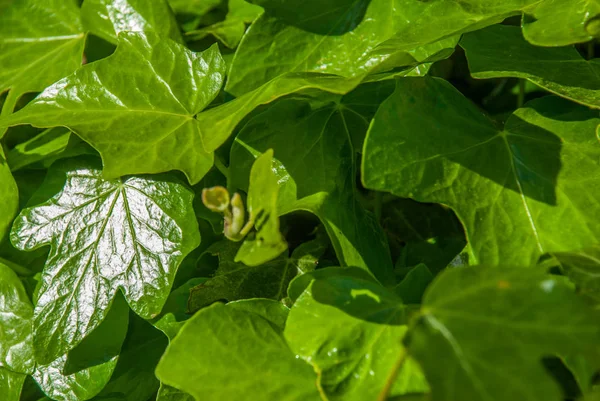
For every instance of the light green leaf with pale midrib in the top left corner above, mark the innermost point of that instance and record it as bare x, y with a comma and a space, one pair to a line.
41, 41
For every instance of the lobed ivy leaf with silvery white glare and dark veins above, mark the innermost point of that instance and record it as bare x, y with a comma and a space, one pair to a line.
129, 233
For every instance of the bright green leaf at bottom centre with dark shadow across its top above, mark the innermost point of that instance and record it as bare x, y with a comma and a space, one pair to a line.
353, 363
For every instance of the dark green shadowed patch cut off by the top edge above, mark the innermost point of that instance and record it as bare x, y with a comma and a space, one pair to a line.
329, 17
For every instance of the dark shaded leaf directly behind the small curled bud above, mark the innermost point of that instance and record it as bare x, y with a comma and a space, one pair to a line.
315, 169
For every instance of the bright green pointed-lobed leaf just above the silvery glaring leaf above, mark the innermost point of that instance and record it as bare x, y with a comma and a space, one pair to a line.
137, 106
